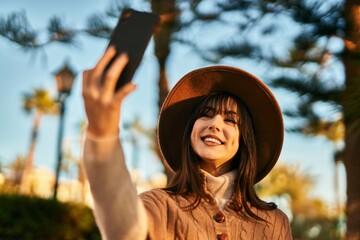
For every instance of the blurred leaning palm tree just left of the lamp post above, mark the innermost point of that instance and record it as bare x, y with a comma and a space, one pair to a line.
40, 102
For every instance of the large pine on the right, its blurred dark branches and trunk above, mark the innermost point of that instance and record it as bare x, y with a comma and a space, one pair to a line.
317, 59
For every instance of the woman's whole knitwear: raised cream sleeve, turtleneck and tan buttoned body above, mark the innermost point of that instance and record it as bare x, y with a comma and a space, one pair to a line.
121, 214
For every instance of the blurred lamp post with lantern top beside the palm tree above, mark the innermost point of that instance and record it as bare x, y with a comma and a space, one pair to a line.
64, 81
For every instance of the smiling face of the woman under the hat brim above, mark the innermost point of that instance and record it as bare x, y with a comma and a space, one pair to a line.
215, 136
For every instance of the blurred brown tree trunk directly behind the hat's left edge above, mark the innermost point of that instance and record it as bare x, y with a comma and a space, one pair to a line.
162, 38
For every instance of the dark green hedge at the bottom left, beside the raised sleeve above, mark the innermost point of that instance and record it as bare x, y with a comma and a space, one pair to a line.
23, 217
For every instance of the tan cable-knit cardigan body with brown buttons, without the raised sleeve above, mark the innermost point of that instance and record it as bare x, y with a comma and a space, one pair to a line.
167, 220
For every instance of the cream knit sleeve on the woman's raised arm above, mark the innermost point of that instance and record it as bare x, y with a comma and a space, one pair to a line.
119, 212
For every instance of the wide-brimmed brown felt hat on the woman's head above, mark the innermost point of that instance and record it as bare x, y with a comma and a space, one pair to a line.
191, 89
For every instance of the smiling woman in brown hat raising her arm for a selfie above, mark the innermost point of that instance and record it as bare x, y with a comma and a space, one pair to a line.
220, 130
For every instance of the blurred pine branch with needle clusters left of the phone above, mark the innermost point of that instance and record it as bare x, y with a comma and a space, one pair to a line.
17, 29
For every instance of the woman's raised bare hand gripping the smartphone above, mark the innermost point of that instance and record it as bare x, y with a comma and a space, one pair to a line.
102, 103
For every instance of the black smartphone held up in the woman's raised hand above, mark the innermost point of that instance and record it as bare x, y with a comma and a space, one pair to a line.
132, 35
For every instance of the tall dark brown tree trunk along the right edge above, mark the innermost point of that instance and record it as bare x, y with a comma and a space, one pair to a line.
352, 116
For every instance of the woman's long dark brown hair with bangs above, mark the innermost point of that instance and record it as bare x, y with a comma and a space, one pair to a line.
188, 180
